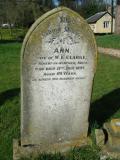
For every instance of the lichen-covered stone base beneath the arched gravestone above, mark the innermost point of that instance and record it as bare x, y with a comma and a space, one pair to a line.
34, 151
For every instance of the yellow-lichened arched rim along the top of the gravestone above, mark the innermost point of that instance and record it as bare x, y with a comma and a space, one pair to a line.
51, 15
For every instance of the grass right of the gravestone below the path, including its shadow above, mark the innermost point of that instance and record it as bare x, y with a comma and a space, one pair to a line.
106, 90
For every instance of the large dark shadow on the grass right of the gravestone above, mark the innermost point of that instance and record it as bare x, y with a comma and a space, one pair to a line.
104, 108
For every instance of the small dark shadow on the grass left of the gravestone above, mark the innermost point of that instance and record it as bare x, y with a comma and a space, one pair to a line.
7, 95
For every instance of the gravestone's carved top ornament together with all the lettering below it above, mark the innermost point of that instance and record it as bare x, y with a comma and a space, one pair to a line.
61, 63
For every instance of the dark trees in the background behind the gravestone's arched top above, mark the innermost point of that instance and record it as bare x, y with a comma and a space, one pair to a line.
23, 13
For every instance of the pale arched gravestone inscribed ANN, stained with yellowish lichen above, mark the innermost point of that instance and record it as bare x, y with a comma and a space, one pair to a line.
58, 65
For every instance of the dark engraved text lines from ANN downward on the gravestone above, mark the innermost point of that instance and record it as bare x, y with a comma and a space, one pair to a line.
60, 67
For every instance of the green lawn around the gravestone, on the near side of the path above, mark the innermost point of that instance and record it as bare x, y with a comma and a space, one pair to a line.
105, 101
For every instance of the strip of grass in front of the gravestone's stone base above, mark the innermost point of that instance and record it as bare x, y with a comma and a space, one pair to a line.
85, 153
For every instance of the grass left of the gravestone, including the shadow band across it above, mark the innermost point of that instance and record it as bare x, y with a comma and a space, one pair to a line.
9, 98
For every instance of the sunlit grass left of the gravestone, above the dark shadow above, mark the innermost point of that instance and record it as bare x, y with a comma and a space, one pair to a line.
9, 66
